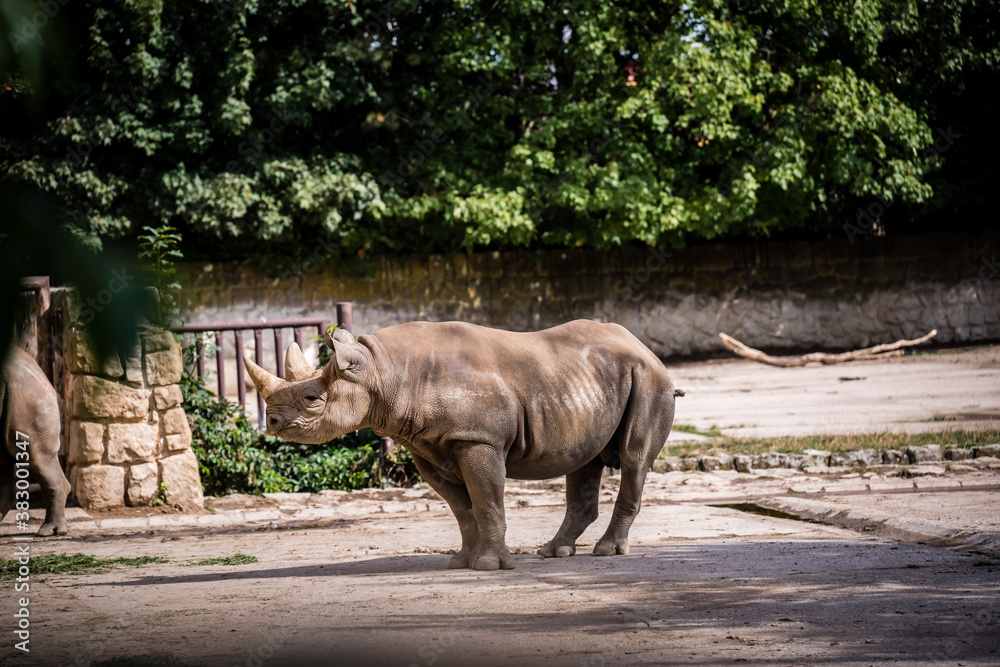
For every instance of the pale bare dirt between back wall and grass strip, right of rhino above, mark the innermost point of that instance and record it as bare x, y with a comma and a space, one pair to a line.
942, 389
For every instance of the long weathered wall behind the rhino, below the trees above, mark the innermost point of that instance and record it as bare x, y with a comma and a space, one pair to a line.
813, 295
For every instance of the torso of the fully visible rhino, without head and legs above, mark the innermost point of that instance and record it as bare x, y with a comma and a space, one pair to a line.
564, 386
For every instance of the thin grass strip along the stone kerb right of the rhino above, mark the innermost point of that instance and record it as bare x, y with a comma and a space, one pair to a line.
830, 443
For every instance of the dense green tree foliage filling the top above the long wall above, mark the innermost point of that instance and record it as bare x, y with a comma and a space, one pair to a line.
401, 126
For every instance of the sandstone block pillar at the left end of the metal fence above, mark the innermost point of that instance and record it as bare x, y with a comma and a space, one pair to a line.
124, 427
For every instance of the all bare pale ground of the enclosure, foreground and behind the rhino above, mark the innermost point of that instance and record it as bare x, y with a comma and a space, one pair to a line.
904, 570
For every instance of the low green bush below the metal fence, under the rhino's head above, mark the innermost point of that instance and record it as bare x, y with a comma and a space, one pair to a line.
234, 457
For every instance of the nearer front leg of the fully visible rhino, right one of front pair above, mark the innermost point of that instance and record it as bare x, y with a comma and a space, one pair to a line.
483, 470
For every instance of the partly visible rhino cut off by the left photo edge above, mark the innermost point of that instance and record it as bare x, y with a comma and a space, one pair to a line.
31, 407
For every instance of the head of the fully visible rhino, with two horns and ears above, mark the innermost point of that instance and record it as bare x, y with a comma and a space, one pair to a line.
312, 406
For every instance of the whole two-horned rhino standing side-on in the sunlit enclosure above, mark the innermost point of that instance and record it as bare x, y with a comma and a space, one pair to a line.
476, 405
